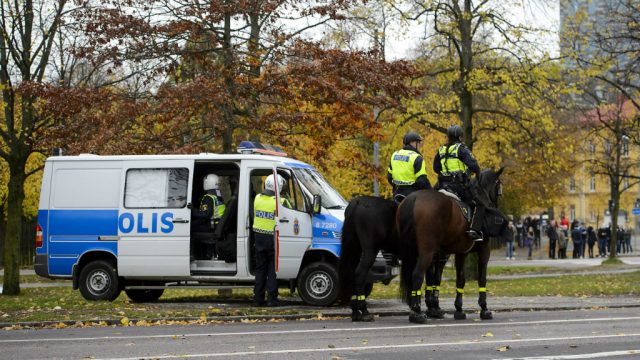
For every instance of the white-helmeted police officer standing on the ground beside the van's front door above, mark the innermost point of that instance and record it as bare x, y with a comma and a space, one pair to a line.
264, 211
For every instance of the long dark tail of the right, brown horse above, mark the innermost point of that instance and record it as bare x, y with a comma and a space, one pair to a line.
408, 247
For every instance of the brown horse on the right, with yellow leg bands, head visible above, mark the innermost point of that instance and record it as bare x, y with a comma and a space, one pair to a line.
431, 222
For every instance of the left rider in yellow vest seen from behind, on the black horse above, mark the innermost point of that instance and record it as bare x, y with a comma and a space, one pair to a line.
407, 172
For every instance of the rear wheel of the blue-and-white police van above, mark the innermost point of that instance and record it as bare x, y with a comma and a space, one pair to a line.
99, 281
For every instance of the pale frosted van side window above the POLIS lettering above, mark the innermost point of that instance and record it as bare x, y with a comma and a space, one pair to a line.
156, 188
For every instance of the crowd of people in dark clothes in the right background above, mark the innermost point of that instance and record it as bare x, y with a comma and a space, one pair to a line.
586, 241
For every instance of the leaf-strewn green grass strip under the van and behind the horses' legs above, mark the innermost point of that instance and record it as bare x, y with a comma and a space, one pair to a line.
64, 303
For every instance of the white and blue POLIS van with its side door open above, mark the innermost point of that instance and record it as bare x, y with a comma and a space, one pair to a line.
113, 223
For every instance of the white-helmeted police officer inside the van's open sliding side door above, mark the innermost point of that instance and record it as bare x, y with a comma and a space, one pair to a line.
211, 209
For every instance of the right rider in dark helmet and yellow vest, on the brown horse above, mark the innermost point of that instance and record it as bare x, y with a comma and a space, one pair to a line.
452, 163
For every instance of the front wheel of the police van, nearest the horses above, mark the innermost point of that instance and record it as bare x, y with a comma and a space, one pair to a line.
318, 284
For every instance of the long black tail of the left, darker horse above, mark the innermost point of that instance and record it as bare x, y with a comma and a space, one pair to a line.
350, 251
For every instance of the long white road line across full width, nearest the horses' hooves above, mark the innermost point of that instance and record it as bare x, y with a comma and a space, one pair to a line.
325, 330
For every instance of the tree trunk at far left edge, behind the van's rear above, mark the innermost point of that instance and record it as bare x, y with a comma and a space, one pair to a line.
11, 282
